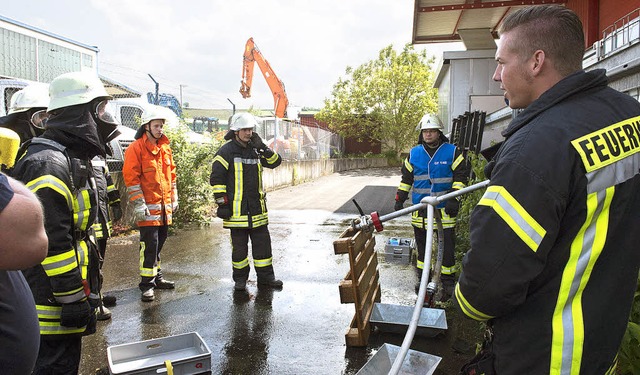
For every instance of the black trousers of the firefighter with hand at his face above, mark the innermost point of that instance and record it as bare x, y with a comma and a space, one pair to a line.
260, 250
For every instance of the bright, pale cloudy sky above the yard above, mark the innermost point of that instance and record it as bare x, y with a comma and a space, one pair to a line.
196, 46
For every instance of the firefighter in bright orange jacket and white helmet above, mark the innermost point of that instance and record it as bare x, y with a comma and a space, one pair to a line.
150, 176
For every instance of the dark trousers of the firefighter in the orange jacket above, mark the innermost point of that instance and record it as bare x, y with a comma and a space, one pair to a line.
151, 241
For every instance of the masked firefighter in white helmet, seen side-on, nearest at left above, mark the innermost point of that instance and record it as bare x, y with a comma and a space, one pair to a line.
57, 168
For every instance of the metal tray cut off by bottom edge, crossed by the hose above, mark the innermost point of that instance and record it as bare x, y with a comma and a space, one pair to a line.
415, 362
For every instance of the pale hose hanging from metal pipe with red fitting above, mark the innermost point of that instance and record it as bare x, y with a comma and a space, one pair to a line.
374, 220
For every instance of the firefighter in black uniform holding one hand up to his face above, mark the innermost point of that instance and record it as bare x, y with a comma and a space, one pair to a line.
236, 177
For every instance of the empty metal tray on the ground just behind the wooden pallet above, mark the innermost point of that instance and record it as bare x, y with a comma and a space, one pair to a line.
396, 319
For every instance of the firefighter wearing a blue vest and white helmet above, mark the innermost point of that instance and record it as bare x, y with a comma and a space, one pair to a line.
434, 167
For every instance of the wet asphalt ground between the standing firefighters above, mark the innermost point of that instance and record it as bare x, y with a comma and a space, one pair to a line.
297, 330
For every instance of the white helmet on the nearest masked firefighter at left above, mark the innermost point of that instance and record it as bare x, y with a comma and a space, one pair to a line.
75, 88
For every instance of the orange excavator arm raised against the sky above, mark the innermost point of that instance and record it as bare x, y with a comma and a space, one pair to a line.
253, 55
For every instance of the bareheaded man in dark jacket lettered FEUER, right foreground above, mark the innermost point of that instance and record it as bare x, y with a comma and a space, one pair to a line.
554, 258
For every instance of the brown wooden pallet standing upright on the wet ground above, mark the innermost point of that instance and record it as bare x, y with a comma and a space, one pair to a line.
361, 285
